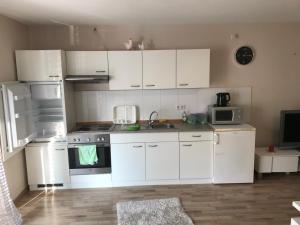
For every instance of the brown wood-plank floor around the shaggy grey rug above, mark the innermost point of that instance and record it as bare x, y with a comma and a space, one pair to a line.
267, 202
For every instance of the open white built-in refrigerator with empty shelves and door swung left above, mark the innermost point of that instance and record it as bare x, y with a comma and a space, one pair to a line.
33, 111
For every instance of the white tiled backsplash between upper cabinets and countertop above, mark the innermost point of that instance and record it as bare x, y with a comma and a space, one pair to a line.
98, 105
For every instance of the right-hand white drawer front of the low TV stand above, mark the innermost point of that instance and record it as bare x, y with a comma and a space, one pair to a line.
285, 164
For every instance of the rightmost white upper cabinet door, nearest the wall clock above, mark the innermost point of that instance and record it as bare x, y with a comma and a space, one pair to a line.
193, 66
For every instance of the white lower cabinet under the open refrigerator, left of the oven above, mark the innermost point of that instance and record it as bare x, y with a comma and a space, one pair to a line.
47, 164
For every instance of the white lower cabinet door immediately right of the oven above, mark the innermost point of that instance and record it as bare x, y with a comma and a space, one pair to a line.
128, 162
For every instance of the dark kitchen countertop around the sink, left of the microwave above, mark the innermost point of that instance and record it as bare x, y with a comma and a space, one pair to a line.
179, 127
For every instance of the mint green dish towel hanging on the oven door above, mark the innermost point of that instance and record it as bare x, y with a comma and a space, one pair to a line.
87, 155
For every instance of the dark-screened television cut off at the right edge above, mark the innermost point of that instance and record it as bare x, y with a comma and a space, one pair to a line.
289, 129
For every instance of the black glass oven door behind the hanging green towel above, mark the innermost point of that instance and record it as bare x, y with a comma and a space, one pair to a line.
103, 165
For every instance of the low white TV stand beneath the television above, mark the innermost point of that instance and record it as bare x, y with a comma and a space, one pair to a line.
285, 161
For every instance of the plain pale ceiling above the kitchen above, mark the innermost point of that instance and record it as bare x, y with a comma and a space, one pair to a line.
118, 12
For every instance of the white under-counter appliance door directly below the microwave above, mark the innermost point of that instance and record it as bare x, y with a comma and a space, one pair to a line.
234, 157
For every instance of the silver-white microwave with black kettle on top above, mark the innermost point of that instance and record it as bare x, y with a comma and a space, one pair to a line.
225, 115
